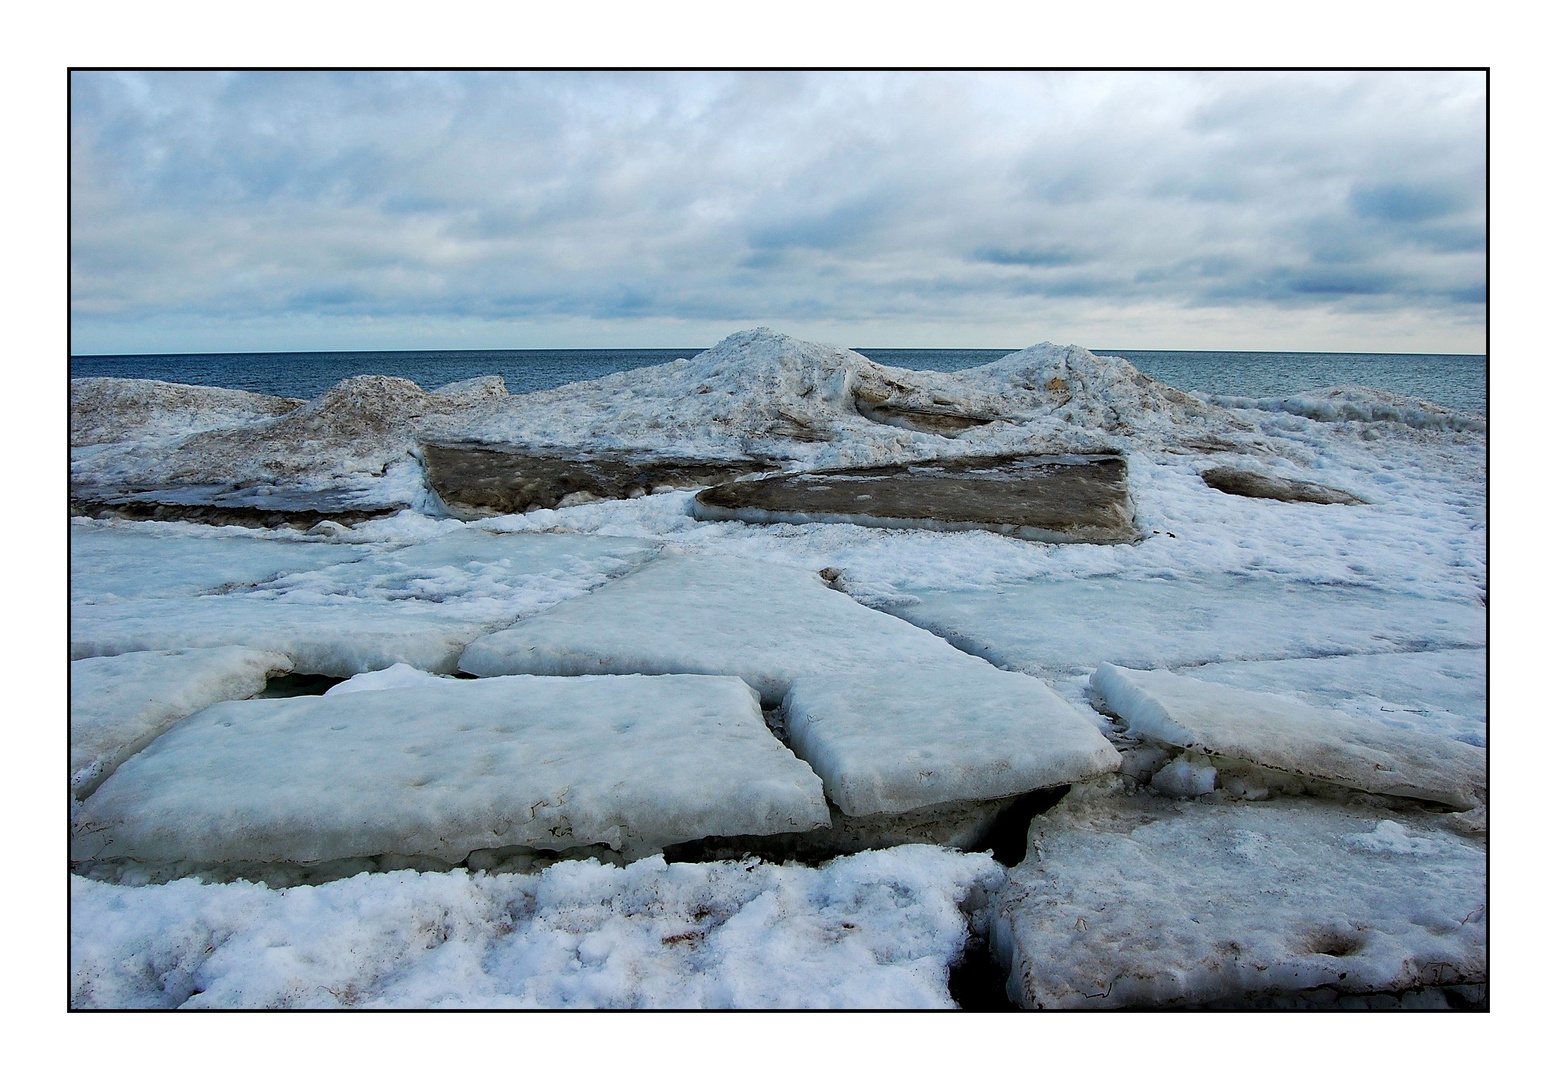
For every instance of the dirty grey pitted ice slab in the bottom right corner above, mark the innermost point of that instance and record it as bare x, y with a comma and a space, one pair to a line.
1147, 903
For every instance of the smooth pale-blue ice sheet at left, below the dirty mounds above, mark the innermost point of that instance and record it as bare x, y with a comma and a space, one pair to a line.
409, 592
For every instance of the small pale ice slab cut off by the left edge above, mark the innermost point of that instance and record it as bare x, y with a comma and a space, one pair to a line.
121, 704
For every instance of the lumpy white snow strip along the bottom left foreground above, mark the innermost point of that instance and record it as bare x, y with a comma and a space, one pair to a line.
877, 930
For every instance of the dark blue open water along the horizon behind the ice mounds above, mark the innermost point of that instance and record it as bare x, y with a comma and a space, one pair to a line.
1458, 382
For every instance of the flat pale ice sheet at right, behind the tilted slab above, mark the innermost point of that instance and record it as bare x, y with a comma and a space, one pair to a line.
1072, 626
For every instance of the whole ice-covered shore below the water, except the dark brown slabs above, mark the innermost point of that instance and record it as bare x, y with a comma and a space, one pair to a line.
547, 714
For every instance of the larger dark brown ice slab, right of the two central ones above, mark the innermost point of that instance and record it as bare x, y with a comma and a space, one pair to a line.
1050, 499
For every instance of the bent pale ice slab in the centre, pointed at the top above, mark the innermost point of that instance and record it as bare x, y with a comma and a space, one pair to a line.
891, 717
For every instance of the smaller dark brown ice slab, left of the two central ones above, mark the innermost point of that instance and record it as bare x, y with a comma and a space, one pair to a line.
482, 480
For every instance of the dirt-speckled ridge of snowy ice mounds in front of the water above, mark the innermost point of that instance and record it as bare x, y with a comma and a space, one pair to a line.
754, 394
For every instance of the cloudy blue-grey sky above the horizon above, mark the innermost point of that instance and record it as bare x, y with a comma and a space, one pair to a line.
527, 211
